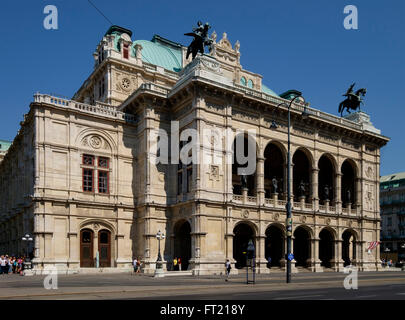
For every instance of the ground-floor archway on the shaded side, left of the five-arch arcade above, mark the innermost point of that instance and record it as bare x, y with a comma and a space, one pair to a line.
182, 243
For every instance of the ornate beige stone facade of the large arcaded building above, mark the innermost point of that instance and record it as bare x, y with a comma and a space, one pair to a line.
51, 187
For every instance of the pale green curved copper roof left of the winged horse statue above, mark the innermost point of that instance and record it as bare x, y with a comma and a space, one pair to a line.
160, 53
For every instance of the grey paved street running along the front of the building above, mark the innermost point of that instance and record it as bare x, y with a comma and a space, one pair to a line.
312, 286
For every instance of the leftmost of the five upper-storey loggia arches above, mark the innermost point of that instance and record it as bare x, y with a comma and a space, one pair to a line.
249, 150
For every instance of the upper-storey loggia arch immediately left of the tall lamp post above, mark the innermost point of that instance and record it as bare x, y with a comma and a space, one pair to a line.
274, 167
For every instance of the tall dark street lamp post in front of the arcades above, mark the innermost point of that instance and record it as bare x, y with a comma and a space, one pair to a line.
288, 205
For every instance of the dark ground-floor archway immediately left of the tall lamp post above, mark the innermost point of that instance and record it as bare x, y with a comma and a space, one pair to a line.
274, 245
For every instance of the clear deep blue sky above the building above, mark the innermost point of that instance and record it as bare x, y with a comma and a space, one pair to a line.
292, 43
